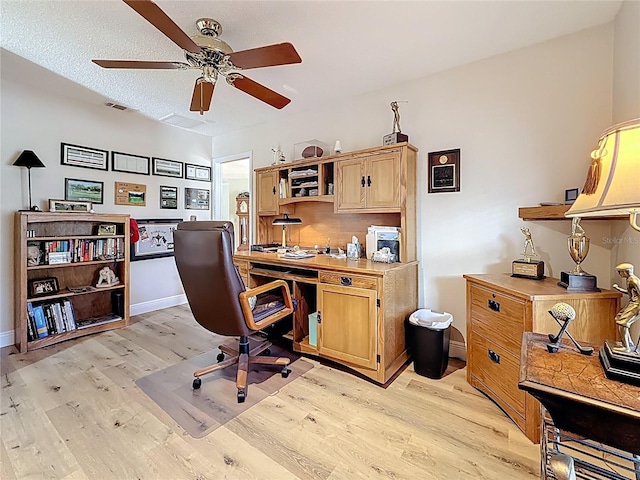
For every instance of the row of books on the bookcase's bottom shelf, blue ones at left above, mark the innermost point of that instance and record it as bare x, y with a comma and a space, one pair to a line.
50, 318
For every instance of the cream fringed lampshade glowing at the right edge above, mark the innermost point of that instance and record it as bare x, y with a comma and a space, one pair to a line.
613, 181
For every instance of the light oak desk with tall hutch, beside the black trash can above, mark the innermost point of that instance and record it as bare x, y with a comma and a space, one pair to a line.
349, 311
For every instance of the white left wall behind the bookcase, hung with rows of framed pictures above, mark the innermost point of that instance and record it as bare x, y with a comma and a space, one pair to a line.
39, 121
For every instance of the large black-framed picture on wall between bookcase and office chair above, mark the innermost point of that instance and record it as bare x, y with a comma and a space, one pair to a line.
156, 238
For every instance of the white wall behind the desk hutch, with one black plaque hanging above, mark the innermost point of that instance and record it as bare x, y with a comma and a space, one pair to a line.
525, 122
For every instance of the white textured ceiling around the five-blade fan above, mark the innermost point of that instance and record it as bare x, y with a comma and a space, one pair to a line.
348, 48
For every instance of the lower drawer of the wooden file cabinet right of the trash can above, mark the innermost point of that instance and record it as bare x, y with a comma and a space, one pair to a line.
498, 369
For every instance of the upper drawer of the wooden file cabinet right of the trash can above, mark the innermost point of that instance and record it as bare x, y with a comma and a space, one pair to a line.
498, 317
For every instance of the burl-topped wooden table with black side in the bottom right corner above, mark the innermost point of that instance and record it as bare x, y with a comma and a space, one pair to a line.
579, 397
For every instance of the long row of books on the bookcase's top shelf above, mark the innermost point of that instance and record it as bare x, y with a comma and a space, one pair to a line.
79, 250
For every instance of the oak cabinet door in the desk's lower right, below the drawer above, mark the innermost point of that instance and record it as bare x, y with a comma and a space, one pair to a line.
347, 329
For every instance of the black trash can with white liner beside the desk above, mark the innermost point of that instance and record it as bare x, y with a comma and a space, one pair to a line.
427, 335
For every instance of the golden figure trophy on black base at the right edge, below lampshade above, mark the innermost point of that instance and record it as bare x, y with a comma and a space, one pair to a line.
621, 360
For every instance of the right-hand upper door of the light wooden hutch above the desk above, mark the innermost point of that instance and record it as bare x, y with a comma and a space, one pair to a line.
383, 181
